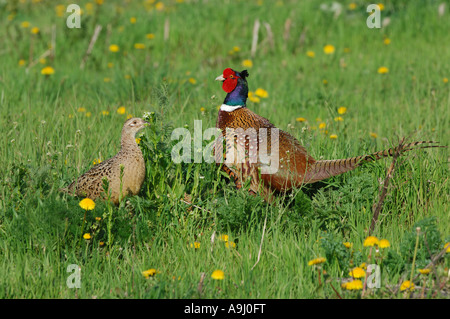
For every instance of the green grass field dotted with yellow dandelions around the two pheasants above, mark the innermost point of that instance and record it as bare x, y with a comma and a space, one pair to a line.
163, 57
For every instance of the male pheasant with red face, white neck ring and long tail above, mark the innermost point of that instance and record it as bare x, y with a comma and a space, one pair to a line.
246, 134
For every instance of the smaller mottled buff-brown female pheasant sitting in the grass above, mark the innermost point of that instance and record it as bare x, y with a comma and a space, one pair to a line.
90, 184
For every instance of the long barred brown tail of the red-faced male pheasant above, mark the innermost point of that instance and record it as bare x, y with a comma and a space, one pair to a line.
326, 168
